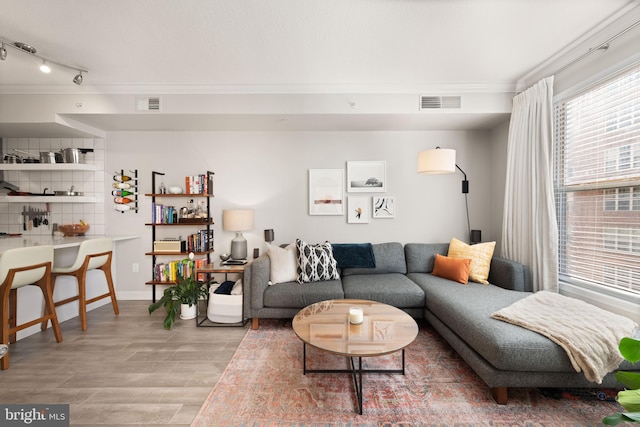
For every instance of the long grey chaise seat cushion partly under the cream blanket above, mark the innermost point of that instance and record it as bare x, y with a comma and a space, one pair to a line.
467, 311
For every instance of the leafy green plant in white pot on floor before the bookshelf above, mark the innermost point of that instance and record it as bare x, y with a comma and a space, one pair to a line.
186, 292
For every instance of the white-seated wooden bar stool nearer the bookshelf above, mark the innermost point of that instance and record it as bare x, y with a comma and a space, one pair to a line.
94, 254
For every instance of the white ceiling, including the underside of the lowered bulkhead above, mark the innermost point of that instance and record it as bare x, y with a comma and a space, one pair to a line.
291, 47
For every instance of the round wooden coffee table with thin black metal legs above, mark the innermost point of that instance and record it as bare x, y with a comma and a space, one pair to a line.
384, 330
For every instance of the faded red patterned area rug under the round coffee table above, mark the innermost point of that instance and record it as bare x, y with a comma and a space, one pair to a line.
263, 385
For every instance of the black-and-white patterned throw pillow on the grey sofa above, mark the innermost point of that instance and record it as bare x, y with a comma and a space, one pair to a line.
316, 262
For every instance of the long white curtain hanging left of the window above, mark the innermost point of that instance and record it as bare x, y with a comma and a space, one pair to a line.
529, 228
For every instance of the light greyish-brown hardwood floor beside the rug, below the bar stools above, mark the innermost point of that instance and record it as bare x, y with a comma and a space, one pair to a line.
124, 370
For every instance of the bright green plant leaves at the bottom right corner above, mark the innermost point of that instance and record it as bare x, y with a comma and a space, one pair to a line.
628, 399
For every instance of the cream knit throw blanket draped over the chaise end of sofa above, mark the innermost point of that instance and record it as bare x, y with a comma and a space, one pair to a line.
588, 334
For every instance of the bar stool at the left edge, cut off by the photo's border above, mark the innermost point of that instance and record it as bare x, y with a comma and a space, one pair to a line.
22, 267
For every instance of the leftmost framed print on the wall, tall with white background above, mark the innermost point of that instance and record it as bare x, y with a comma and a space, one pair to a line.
326, 192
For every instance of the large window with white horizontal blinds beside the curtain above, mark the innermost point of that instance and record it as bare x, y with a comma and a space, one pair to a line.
597, 184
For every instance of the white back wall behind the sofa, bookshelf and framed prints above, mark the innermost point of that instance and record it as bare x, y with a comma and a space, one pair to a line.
267, 172
